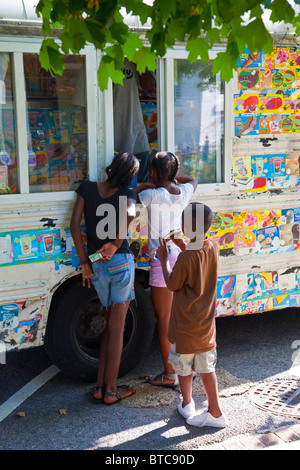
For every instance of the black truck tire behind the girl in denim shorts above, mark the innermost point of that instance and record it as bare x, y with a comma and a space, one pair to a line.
75, 324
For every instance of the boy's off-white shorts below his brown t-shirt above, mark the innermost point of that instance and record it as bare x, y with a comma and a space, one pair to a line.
185, 364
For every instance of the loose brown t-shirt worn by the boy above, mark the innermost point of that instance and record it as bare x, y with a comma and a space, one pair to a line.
194, 282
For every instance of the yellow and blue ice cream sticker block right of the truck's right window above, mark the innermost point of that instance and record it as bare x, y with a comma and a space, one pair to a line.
269, 93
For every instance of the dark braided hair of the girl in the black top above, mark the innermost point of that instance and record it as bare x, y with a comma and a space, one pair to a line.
122, 170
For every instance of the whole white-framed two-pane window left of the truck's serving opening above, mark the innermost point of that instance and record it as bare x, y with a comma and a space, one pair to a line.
44, 145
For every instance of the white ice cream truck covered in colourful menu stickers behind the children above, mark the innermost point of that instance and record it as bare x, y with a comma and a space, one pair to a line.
240, 140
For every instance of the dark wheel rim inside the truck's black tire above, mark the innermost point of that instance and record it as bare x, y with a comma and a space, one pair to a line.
89, 324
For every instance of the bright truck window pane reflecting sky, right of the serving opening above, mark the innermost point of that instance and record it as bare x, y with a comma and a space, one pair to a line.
198, 120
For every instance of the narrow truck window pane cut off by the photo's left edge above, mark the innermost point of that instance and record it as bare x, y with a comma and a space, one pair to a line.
8, 160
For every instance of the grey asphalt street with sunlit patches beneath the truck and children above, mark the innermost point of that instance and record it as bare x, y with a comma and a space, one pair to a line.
38, 412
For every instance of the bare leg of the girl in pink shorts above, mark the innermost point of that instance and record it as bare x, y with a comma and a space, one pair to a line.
162, 301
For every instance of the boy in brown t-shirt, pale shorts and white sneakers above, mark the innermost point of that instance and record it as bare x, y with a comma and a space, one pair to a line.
192, 330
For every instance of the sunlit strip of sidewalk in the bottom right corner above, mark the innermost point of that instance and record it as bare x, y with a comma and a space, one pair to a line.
284, 438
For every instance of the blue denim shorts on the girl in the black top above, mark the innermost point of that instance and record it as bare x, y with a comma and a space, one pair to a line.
114, 279
